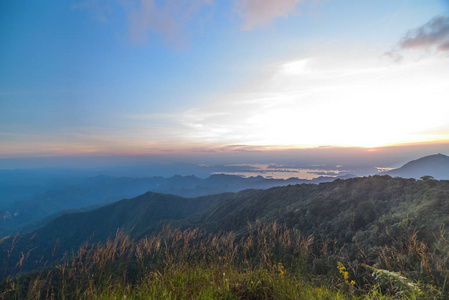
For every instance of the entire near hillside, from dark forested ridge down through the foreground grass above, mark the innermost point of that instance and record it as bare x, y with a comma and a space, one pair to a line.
369, 237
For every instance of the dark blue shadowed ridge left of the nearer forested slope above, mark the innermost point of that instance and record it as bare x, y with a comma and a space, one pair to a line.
69, 231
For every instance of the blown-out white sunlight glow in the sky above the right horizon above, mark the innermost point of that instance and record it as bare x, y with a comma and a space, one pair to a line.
309, 103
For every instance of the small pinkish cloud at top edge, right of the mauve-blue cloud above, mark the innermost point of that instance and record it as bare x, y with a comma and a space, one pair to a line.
256, 13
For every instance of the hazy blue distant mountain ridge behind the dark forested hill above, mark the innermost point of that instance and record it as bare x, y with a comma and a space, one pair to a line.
100, 190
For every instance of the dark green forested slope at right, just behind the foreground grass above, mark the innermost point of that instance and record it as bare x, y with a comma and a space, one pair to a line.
362, 207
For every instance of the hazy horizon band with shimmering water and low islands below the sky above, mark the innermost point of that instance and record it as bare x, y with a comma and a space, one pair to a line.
310, 165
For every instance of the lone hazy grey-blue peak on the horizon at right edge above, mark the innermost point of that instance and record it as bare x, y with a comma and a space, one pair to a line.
436, 165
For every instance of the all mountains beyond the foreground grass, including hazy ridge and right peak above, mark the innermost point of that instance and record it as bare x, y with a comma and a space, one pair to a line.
353, 206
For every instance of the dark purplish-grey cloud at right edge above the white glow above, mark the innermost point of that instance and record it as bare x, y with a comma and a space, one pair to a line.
433, 34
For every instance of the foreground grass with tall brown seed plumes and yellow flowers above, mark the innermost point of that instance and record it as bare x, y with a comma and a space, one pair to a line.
268, 261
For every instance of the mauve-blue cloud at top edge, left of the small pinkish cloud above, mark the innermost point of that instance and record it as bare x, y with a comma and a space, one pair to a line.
168, 18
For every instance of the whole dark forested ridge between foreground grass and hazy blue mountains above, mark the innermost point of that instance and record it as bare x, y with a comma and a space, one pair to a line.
367, 210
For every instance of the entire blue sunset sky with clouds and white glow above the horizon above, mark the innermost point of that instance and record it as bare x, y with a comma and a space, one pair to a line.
148, 77
